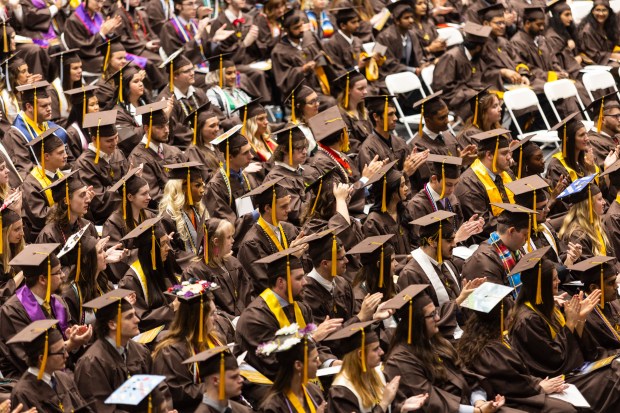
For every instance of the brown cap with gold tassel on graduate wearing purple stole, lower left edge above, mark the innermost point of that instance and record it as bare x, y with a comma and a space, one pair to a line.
38, 260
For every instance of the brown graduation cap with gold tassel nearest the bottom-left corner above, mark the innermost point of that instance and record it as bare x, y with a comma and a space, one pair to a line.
39, 335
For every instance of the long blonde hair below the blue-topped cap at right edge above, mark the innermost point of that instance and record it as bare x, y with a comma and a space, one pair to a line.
578, 219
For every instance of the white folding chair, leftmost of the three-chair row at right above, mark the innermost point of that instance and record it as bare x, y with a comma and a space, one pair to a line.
523, 98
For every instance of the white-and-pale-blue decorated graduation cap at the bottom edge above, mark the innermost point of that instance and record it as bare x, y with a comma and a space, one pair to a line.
135, 390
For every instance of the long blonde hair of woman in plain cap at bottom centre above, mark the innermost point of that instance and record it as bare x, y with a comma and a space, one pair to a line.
368, 385
